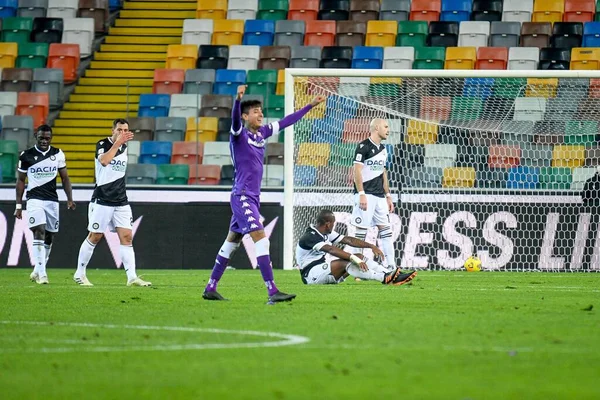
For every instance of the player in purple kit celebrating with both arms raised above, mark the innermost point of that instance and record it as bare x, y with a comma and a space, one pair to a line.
247, 145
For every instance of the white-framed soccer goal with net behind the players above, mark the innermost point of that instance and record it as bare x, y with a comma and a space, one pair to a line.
486, 163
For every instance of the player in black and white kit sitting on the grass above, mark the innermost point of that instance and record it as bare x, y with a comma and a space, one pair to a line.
320, 239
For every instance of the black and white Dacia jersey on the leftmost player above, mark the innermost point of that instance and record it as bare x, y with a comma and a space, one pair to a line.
41, 169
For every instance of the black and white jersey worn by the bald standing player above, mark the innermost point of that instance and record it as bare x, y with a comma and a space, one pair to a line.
373, 158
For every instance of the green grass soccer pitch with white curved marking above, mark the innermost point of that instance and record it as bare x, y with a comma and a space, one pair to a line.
448, 335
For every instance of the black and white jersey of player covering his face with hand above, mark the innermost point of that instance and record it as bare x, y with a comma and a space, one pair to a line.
110, 180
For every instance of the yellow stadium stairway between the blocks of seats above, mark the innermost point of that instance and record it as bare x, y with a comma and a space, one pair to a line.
121, 70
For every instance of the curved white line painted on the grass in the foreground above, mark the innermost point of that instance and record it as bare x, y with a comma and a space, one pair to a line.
286, 340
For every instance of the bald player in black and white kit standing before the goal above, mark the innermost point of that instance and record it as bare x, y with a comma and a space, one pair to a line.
372, 198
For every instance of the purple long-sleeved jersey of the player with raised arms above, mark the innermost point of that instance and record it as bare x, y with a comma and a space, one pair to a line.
248, 149
